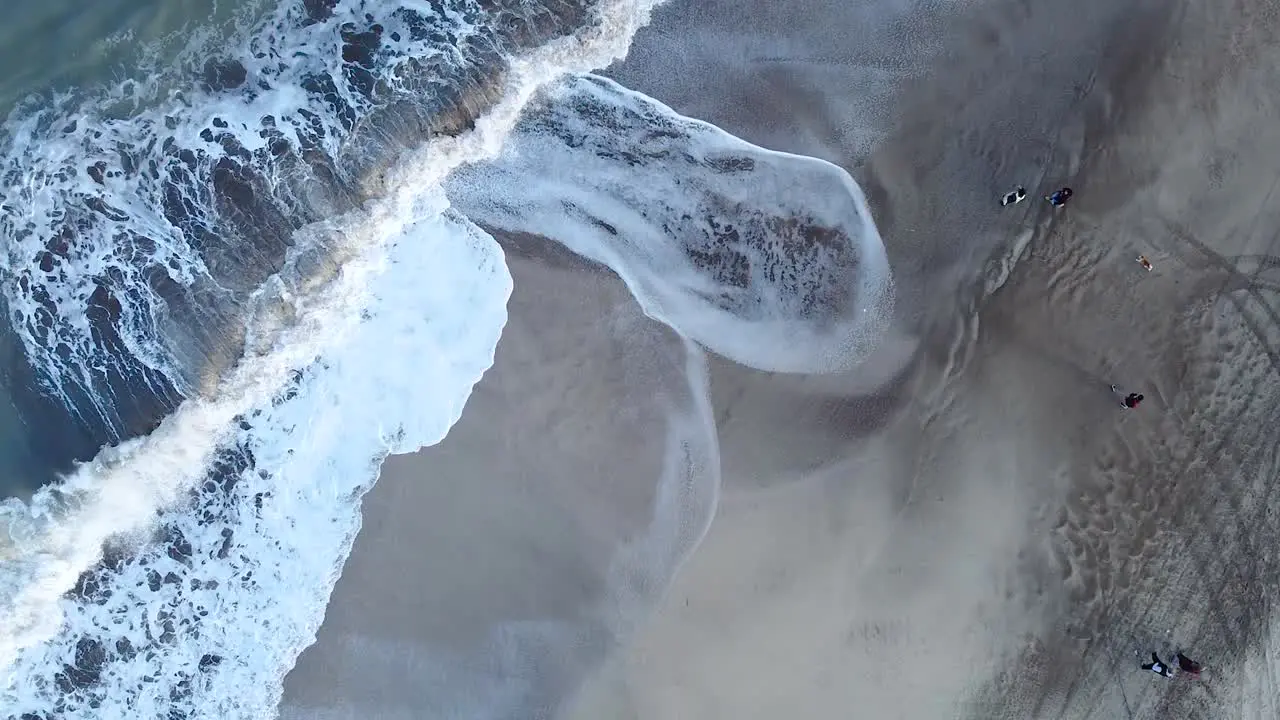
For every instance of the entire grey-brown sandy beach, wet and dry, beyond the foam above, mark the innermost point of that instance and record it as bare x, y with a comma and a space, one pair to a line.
967, 527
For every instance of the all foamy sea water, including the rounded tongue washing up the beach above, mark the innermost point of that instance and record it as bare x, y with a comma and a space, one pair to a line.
246, 258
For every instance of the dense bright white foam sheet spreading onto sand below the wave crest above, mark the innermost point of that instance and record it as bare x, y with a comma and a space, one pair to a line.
397, 381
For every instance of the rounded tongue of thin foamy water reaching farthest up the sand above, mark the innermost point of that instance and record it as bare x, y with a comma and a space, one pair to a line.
767, 258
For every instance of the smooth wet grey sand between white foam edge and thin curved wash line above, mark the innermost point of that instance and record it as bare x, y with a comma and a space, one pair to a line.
519, 550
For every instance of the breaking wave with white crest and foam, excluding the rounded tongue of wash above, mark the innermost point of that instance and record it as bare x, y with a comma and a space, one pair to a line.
227, 257
